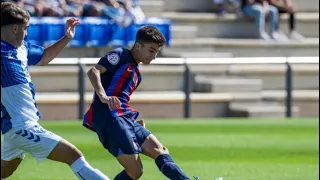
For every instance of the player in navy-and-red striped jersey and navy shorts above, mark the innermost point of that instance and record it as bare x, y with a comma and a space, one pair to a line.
114, 79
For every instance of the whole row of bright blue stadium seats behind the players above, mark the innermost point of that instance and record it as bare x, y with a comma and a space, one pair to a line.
93, 31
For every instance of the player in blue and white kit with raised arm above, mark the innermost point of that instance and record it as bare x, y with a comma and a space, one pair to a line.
19, 113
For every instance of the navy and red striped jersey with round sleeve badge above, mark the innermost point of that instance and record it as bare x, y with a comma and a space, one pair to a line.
121, 79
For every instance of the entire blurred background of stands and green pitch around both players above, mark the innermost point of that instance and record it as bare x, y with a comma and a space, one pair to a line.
236, 68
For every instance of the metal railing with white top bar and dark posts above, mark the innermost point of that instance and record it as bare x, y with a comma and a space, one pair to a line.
186, 62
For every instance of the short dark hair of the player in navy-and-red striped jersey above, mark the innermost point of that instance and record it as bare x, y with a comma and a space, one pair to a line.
150, 34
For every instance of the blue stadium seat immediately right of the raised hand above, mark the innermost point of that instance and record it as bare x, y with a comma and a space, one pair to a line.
98, 31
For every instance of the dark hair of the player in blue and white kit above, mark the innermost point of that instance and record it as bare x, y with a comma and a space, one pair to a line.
13, 14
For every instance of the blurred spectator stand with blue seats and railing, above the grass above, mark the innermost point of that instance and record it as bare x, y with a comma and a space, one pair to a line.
217, 33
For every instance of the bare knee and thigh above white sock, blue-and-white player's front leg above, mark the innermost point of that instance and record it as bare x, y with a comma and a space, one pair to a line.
65, 152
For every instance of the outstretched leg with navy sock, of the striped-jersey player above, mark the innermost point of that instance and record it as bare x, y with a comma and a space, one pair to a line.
154, 149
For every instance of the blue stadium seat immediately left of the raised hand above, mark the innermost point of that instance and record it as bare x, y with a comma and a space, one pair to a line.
53, 29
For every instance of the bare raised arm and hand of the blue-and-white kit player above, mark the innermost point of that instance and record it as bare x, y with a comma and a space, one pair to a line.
52, 51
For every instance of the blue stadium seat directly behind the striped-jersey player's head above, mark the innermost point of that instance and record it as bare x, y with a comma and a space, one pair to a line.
162, 24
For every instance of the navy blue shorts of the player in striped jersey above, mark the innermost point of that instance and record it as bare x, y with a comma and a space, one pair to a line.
120, 135
